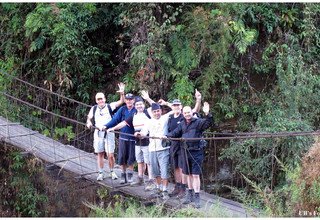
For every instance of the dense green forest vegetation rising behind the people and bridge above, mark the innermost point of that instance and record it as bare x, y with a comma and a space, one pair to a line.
256, 64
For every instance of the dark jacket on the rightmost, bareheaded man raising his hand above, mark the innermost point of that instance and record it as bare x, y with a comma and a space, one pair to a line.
194, 129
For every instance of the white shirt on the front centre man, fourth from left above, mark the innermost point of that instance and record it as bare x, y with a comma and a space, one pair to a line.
156, 128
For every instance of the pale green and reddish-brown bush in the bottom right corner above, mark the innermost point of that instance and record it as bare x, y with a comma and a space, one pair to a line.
299, 196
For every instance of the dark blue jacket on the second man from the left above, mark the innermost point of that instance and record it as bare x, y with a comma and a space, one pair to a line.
123, 114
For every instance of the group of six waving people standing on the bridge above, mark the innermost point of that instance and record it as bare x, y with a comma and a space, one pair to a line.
147, 137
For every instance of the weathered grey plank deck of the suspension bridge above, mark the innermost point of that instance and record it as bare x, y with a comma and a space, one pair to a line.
80, 162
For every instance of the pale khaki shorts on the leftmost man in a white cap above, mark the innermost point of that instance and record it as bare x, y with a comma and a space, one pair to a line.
103, 144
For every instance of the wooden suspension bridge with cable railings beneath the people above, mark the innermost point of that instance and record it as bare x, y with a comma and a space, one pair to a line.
41, 127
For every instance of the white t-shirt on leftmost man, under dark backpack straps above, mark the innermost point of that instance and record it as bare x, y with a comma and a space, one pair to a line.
102, 115
